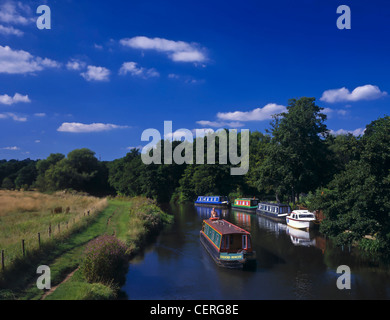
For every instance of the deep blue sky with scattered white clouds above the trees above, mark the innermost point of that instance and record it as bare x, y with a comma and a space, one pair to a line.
108, 70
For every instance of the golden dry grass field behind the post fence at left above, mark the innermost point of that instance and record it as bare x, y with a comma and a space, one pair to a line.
25, 214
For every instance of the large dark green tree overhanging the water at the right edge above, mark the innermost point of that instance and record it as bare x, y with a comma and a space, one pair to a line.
357, 203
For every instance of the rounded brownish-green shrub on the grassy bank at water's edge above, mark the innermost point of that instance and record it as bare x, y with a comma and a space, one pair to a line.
105, 260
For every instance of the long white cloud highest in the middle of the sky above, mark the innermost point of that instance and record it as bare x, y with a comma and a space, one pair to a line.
178, 51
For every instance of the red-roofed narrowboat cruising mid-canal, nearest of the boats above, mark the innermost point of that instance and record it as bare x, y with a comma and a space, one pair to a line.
228, 245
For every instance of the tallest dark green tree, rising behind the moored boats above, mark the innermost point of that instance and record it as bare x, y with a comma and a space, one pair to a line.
297, 152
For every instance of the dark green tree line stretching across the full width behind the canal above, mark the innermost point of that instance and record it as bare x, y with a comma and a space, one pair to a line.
295, 160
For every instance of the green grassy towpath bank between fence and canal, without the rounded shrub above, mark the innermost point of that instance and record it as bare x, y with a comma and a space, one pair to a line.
132, 220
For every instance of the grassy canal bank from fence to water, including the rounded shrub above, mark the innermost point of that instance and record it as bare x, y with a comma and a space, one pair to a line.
123, 223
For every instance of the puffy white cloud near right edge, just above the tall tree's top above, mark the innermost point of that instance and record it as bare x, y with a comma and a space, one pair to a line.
366, 92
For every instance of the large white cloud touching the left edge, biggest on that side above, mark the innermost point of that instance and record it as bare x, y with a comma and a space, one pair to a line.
20, 61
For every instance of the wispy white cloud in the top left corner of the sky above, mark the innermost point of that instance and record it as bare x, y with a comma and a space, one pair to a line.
14, 13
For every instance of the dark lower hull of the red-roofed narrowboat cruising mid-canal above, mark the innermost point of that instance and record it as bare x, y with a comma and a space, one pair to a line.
247, 261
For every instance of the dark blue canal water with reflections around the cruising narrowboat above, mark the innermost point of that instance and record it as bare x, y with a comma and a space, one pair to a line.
291, 264
